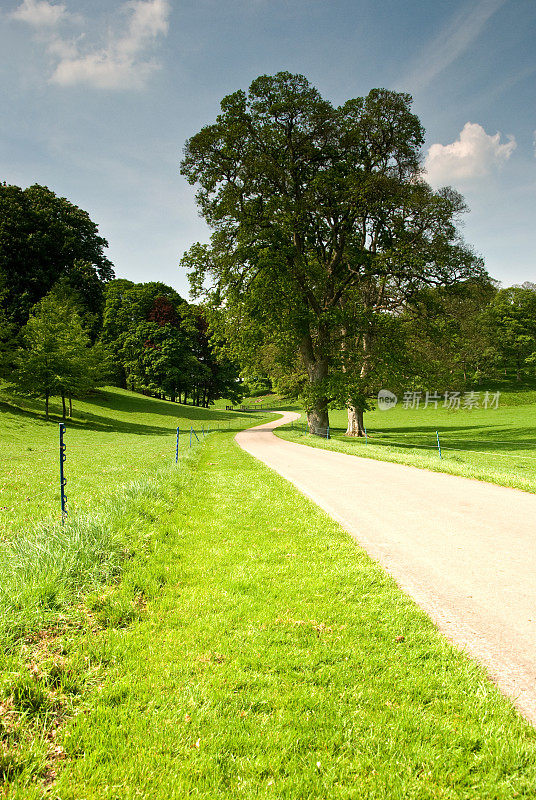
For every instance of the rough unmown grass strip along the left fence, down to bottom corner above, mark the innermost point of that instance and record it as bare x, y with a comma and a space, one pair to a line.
61, 586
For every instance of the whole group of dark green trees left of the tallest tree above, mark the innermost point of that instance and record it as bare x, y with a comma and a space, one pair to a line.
68, 325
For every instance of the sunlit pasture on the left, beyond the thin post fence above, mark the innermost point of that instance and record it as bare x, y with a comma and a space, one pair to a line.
114, 437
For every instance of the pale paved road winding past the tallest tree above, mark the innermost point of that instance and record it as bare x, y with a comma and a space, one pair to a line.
464, 550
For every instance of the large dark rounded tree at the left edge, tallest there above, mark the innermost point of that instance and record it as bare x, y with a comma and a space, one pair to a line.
45, 239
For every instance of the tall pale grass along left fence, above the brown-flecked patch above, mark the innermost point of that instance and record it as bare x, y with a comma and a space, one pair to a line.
46, 570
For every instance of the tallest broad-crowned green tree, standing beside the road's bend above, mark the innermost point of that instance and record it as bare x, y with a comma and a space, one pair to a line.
311, 205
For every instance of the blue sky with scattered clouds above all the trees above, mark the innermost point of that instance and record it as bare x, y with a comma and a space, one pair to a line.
99, 96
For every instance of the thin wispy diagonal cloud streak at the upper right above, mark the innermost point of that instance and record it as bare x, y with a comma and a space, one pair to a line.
450, 43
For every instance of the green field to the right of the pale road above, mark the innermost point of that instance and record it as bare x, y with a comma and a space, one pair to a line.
496, 445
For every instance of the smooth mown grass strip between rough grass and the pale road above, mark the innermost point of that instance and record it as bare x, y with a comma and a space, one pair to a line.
273, 658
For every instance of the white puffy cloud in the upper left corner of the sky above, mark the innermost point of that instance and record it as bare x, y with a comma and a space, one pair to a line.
122, 62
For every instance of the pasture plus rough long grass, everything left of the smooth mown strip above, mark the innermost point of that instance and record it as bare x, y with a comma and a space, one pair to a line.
122, 450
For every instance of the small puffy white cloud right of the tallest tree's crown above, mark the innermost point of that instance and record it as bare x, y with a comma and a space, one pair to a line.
473, 155
